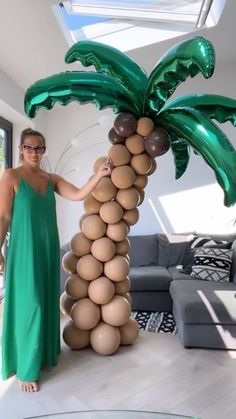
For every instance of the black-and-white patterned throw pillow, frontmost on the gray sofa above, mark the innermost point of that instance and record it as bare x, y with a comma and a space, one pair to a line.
212, 264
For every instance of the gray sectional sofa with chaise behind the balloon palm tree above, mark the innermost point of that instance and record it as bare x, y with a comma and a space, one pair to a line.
161, 280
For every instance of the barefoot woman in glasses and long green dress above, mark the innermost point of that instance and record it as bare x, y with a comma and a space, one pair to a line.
31, 317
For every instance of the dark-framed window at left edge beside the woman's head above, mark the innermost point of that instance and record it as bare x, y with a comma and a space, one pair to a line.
5, 144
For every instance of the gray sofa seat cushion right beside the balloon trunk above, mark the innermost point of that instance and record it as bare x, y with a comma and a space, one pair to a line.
150, 278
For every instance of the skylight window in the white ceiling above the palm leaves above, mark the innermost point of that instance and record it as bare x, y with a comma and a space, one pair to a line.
131, 24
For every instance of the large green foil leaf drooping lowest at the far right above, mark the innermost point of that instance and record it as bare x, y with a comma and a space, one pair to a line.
209, 141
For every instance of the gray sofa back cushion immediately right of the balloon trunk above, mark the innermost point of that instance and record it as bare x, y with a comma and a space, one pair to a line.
144, 250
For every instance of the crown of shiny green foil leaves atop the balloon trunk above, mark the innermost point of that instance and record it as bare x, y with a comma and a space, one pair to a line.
122, 84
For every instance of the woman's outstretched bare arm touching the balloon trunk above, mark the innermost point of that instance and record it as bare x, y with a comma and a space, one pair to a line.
70, 191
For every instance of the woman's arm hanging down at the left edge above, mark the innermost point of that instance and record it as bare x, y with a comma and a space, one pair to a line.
6, 198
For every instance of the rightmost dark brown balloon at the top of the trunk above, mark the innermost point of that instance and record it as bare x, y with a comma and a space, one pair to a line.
157, 142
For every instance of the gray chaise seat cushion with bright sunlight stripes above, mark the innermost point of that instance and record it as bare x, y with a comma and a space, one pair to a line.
204, 301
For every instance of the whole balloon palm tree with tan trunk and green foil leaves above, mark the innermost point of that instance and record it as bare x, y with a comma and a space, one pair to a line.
96, 296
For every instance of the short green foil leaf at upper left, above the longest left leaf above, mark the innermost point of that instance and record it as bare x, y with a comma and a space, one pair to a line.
111, 61
